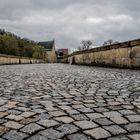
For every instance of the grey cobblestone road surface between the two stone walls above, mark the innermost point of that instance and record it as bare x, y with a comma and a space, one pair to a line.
60, 102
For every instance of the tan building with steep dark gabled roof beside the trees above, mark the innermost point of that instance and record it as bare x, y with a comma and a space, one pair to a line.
50, 52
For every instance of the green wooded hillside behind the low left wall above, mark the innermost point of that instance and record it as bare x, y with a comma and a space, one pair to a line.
11, 44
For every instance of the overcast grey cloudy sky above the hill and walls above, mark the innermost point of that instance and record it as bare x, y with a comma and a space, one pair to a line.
70, 21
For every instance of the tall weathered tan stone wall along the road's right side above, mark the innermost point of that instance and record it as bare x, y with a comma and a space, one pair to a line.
123, 55
